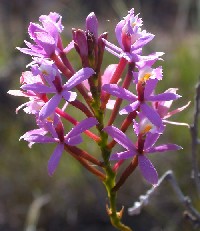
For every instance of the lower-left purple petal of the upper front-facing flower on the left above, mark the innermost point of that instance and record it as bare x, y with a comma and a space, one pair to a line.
50, 106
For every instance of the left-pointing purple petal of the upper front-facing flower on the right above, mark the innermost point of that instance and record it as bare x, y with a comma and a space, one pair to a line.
120, 92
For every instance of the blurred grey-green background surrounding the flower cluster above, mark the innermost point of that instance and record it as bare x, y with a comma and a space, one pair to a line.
73, 199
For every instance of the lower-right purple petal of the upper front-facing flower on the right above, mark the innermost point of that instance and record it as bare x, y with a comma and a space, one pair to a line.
151, 114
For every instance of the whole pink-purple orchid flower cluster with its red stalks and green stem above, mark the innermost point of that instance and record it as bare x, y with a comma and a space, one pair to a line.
52, 85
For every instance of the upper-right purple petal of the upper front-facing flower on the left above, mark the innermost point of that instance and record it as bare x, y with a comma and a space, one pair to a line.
79, 77
